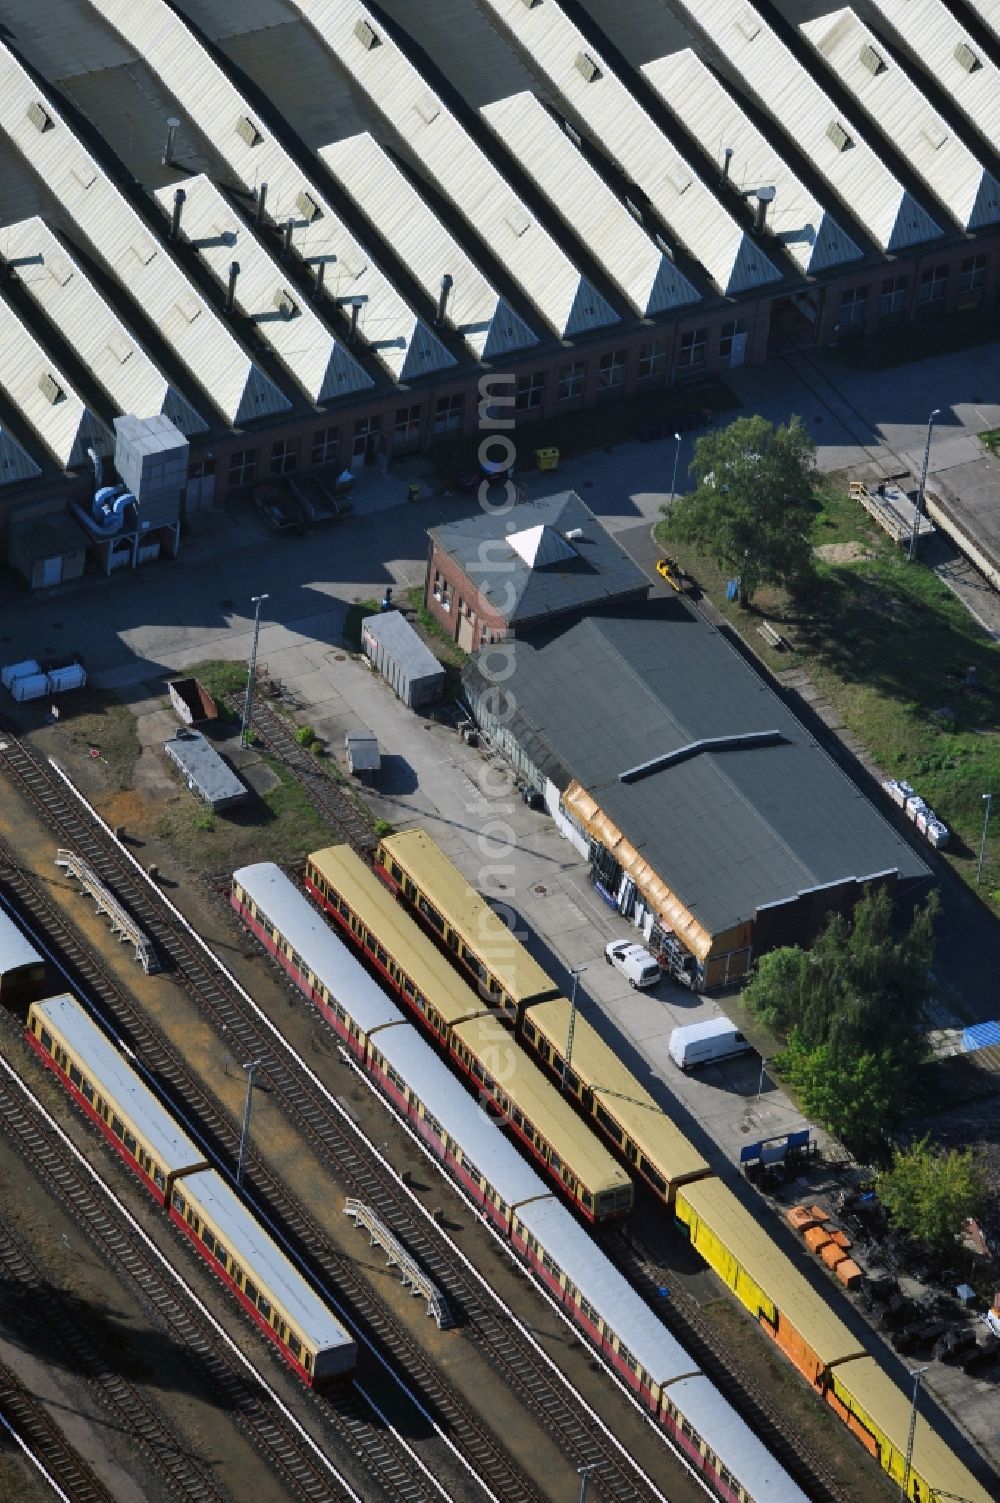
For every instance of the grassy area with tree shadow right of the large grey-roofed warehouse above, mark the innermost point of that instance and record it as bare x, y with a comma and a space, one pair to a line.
891, 649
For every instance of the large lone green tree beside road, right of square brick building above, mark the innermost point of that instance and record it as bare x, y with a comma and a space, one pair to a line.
753, 506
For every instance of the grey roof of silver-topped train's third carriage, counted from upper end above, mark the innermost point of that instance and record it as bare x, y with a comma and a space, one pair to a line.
607, 1290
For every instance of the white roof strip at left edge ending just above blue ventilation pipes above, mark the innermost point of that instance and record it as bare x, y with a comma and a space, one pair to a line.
46, 398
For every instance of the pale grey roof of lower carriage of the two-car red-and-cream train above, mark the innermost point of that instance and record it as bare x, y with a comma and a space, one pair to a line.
253, 1248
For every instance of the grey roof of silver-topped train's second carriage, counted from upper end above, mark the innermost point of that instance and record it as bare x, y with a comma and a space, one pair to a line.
461, 1116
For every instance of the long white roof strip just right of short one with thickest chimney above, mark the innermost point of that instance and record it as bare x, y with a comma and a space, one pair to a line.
834, 145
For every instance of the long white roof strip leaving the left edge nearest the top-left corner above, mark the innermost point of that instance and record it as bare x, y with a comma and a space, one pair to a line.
135, 256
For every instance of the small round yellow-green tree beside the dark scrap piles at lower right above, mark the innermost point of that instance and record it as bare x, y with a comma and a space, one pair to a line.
930, 1194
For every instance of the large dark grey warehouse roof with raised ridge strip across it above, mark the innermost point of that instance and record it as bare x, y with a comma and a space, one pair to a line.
729, 827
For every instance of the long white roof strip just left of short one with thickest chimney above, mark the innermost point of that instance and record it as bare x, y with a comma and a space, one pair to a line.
613, 116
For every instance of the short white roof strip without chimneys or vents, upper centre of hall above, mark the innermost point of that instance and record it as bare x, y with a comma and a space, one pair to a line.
628, 255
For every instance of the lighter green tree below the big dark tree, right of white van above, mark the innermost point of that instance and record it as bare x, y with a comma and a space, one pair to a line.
850, 1093
